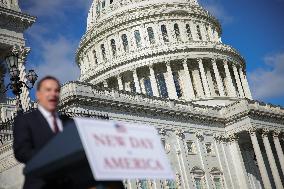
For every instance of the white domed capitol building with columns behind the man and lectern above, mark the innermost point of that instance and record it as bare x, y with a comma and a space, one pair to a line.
162, 63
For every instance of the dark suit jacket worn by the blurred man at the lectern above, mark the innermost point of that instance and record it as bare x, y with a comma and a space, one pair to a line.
31, 132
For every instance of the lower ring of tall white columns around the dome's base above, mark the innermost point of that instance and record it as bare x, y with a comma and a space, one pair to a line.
194, 78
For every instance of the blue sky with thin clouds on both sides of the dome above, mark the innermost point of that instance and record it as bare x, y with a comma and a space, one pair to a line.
254, 27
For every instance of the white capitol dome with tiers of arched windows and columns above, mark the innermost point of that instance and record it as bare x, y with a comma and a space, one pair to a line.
164, 48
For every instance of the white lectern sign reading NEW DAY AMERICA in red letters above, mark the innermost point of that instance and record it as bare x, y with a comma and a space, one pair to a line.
118, 151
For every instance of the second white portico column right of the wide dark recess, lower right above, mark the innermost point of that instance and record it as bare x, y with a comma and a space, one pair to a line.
271, 160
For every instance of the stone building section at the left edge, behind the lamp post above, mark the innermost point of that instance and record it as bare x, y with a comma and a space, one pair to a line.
12, 25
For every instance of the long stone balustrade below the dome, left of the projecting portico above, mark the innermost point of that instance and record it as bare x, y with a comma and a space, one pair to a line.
75, 90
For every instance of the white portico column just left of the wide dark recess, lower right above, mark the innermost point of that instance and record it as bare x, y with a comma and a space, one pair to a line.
238, 162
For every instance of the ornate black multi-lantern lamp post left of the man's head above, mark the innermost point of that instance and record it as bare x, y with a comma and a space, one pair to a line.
16, 84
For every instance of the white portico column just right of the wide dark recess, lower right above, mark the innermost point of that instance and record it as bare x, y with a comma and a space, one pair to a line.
260, 161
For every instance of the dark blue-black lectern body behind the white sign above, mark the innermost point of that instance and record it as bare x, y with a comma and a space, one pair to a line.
62, 163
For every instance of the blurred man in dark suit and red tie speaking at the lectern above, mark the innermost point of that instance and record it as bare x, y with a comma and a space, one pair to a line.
34, 129
